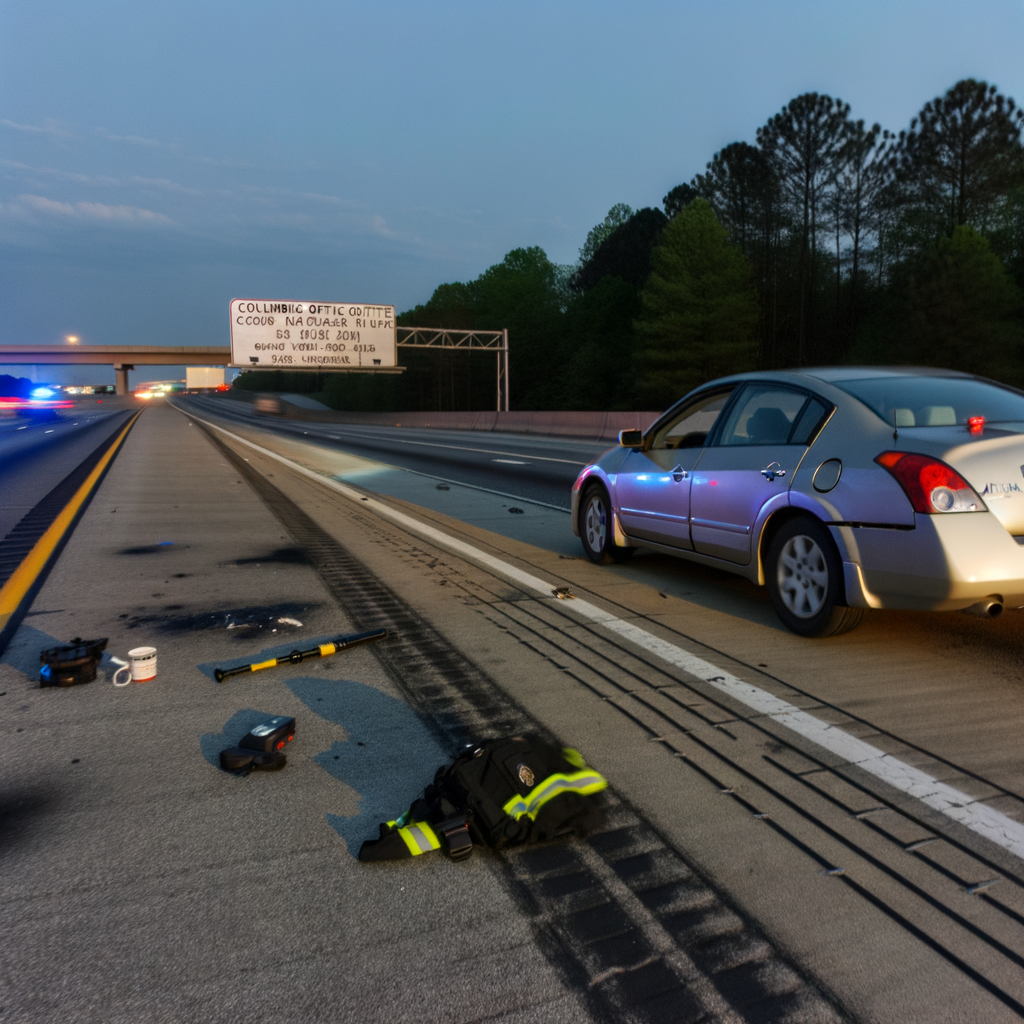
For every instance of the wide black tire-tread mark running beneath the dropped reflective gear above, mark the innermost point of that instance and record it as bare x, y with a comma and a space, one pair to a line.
625, 918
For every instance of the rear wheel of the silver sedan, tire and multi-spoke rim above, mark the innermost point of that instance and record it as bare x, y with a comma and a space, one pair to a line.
804, 576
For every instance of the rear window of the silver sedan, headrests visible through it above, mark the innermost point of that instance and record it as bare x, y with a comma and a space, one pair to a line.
936, 402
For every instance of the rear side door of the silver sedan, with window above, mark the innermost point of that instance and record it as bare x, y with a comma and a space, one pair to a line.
753, 459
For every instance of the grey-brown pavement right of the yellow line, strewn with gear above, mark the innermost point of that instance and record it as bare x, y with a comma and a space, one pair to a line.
797, 831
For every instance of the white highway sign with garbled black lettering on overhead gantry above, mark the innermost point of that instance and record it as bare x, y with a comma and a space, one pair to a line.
273, 334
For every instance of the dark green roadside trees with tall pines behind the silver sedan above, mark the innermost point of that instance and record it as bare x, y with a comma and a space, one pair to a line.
822, 241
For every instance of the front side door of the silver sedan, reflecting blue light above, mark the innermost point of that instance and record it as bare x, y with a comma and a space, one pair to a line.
653, 486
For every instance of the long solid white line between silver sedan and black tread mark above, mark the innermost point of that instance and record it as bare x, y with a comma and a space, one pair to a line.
959, 806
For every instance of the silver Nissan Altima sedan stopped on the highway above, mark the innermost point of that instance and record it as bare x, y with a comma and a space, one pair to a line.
840, 489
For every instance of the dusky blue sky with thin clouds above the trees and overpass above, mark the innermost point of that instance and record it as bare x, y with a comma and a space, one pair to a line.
159, 159
